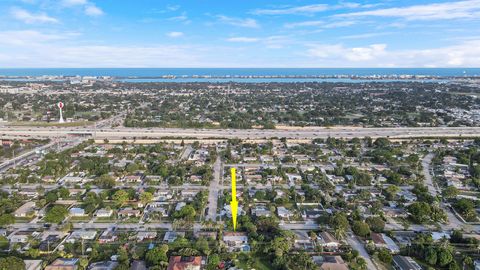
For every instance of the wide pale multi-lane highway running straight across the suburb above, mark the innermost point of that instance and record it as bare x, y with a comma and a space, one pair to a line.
291, 133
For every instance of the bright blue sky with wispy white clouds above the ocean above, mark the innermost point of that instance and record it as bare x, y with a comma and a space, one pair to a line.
247, 33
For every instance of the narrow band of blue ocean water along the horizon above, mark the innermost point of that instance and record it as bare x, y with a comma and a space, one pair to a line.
232, 74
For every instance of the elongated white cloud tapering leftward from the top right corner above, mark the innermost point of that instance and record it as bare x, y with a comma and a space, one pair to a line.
437, 11
